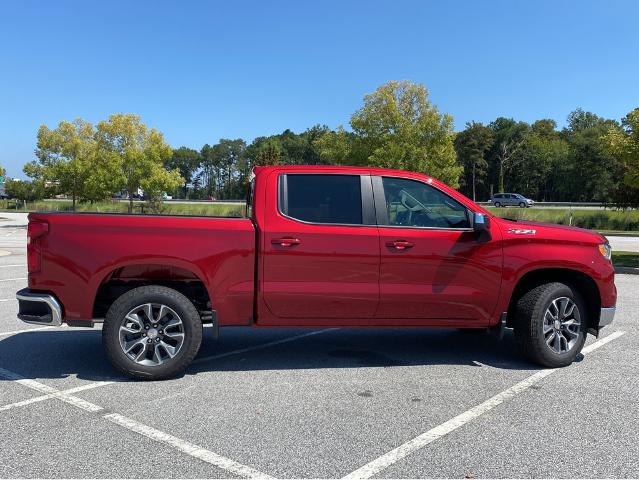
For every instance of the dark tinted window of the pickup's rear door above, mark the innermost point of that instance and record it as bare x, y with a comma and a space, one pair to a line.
322, 198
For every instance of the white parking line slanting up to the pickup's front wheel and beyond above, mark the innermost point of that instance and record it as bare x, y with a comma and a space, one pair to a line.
374, 467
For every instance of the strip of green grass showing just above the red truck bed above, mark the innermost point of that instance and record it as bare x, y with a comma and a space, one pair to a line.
167, 208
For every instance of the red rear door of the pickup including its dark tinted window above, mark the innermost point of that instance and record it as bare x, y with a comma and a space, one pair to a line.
320, 249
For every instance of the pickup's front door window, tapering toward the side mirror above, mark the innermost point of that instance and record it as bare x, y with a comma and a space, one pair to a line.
414, 204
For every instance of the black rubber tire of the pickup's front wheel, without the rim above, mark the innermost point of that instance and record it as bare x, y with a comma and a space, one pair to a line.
529, 324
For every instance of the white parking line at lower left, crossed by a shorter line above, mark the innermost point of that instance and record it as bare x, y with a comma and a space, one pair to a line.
183, 446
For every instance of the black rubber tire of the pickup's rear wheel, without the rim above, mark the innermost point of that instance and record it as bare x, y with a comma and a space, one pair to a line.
191, 326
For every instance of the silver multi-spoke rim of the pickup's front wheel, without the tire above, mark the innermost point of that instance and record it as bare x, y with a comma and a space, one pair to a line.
562, 325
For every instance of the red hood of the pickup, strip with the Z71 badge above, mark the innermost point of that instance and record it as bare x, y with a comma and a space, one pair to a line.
549, 231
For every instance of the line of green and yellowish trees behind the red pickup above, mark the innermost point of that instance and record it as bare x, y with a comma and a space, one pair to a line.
590, 159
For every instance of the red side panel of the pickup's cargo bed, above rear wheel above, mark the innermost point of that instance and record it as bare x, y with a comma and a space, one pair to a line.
84, 251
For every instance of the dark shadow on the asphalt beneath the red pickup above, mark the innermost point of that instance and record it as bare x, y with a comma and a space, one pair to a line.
58, 354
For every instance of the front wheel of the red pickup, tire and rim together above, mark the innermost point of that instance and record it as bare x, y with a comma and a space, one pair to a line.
551, 324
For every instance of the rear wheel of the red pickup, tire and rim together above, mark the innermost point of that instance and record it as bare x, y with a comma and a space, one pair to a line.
152, 333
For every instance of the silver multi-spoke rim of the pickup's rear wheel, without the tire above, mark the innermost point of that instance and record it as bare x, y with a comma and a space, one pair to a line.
151, 334
